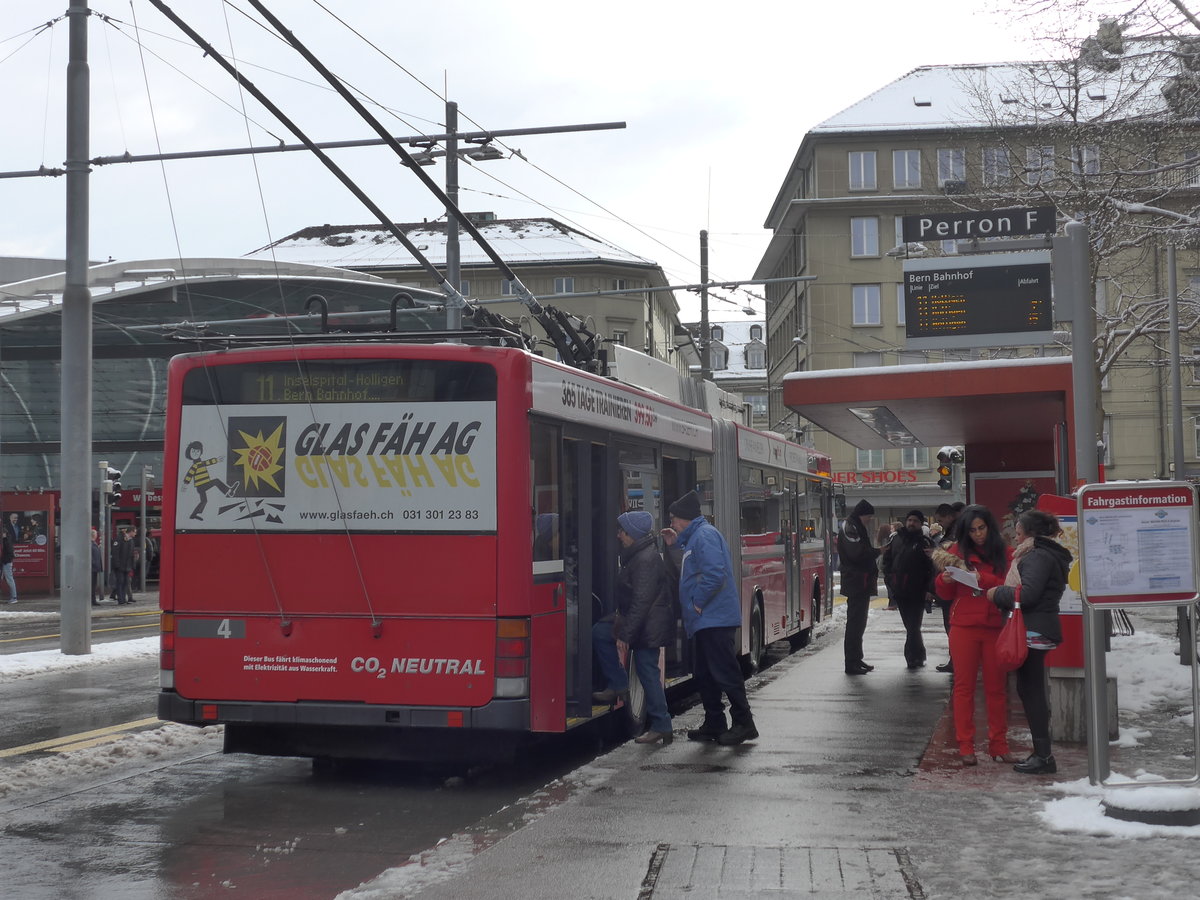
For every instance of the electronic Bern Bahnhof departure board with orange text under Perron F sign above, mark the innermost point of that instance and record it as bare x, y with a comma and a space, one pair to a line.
979, 302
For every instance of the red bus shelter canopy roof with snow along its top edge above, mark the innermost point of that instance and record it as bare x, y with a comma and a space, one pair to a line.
937, 405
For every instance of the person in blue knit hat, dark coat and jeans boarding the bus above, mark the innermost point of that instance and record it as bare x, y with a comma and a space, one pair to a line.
644, 623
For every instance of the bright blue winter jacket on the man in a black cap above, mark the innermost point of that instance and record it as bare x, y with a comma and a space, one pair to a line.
709, 593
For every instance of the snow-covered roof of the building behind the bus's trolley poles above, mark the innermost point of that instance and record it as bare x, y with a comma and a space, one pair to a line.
518, 241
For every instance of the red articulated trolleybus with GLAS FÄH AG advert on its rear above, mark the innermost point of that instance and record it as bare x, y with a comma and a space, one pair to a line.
388, 550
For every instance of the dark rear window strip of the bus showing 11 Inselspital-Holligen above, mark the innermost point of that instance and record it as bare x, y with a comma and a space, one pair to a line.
346, 381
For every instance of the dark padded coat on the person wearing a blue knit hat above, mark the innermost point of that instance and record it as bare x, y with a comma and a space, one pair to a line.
645, 598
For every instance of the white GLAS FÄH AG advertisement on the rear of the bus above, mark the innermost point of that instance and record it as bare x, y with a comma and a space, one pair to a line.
364, 467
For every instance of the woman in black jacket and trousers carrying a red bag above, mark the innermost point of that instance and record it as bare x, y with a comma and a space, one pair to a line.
1036, 580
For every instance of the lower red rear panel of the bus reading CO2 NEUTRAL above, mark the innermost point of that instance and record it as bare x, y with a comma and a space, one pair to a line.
403, 662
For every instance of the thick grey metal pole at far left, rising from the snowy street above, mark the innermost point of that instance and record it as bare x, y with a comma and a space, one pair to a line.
76, 371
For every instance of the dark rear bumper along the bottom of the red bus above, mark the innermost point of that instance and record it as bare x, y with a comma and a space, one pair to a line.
353, 731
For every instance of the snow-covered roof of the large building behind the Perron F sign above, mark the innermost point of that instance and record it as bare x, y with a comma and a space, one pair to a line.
987, 95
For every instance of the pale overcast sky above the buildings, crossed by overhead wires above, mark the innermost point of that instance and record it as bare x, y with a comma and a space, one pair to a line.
717, 99
